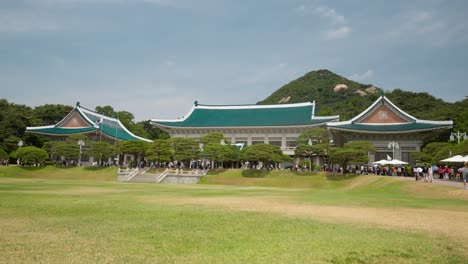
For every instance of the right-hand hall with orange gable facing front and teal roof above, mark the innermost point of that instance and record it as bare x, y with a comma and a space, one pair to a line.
392, 131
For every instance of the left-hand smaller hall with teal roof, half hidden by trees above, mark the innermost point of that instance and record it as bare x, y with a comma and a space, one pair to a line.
84, 121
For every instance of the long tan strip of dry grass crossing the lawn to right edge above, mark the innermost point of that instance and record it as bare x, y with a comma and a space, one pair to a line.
452, 224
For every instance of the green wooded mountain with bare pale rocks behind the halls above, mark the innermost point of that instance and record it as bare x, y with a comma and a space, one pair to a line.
336, 95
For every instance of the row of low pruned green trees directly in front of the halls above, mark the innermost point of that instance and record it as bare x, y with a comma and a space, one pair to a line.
213, 148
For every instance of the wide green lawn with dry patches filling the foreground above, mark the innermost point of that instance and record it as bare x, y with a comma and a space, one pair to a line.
81, 215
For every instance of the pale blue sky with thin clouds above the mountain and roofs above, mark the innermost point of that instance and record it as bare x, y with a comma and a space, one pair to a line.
155, 57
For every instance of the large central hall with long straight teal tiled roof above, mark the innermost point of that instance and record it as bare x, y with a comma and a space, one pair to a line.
277, 124
